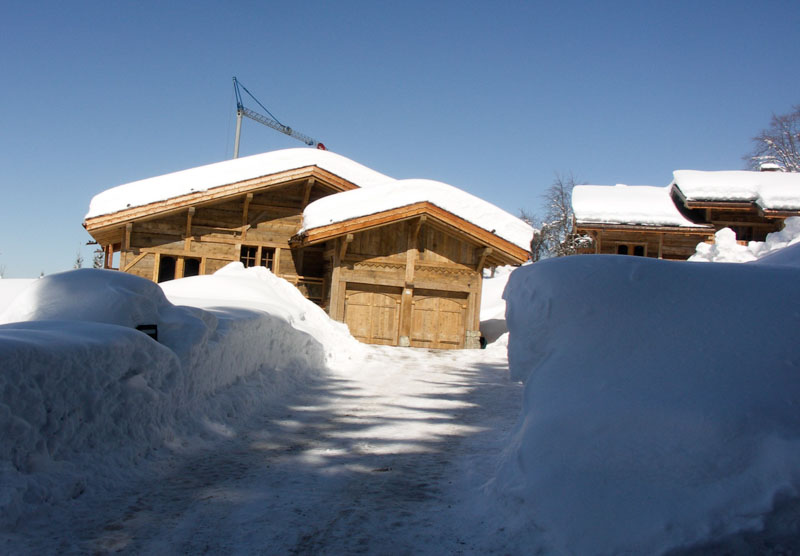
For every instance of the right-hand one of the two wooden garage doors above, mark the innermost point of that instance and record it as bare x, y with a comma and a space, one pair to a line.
438, 322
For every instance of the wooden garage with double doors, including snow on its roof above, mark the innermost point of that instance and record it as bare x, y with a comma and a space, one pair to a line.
405, 271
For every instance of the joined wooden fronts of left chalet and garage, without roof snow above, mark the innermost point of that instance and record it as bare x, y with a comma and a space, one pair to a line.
409, 277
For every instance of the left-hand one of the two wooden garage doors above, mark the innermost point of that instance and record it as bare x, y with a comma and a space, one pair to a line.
372, 313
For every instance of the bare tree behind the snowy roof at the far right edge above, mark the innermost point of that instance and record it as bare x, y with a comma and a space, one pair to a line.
779, 143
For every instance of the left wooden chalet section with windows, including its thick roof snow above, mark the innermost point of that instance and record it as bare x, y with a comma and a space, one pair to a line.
199, 220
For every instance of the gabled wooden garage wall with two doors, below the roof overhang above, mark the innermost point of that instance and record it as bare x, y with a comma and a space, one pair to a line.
408, 283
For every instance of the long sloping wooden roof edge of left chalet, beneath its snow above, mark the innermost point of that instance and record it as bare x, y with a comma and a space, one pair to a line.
98, 224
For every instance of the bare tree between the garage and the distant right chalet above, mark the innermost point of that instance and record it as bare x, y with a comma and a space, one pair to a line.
555, 234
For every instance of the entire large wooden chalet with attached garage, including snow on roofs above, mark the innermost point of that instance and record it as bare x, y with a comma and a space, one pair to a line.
404, 274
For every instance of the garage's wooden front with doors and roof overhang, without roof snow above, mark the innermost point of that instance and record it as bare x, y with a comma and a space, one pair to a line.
411, 276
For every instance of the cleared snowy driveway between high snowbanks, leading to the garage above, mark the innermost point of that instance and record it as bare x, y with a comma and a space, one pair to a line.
385, 455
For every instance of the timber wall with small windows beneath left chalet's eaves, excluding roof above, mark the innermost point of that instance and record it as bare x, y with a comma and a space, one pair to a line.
207, 237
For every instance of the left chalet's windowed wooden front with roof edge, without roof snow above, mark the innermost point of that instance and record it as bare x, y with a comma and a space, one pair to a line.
199, 233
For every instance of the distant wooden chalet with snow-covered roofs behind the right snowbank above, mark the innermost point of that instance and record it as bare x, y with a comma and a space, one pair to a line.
669, 222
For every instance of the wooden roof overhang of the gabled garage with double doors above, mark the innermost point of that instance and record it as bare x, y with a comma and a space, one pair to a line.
503, 251
